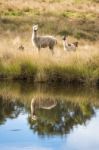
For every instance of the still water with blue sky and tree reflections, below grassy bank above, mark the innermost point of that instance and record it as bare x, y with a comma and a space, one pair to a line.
44, 117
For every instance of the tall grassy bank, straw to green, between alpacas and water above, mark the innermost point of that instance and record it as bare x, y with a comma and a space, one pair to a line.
79, 66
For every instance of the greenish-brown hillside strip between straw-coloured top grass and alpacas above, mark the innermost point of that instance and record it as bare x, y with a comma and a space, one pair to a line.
81, 26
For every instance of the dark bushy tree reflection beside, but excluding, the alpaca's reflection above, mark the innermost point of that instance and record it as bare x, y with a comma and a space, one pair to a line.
61, 119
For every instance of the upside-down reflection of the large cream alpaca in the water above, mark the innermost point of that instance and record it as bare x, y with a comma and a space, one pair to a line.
46, 104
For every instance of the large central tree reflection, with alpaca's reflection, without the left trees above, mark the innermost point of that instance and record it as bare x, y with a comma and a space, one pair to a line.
57, 117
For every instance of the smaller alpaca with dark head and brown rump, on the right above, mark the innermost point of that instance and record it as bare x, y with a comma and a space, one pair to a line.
68, 46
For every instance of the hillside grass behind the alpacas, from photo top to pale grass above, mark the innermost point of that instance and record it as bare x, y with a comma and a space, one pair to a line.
74, 18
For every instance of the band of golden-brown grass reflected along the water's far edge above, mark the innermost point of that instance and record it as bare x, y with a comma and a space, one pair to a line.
25, 92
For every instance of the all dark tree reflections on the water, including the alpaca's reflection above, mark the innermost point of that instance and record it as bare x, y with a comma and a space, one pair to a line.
47, 116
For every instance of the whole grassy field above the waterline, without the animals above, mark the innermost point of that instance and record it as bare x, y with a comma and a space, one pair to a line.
76, 18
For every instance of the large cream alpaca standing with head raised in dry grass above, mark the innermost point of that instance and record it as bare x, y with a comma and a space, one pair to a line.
43, 41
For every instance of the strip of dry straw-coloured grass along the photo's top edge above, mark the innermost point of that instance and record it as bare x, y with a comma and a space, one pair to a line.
52, 5
